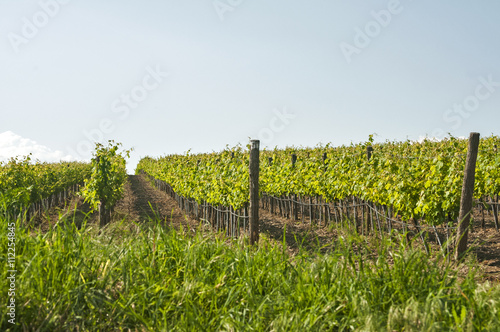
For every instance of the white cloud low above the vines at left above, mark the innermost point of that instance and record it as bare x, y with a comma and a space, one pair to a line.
13, 145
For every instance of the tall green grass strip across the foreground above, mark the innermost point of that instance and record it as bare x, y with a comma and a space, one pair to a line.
131, 277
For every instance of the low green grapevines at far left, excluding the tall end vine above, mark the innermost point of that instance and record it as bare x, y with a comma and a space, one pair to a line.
24, 183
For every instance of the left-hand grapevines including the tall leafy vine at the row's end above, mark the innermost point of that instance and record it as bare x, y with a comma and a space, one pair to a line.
29, 188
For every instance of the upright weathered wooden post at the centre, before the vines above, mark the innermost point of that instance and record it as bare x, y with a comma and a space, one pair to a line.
254, 192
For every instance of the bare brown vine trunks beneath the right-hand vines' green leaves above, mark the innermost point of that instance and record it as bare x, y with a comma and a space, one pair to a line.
372, 217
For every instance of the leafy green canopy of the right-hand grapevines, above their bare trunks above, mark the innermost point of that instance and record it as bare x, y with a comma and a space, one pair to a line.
419, 180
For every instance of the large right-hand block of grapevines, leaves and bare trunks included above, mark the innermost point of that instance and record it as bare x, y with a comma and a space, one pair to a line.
409, 184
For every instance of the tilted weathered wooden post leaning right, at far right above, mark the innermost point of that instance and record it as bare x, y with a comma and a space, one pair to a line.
467, 195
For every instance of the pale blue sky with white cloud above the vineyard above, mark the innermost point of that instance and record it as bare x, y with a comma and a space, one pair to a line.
164, 76
